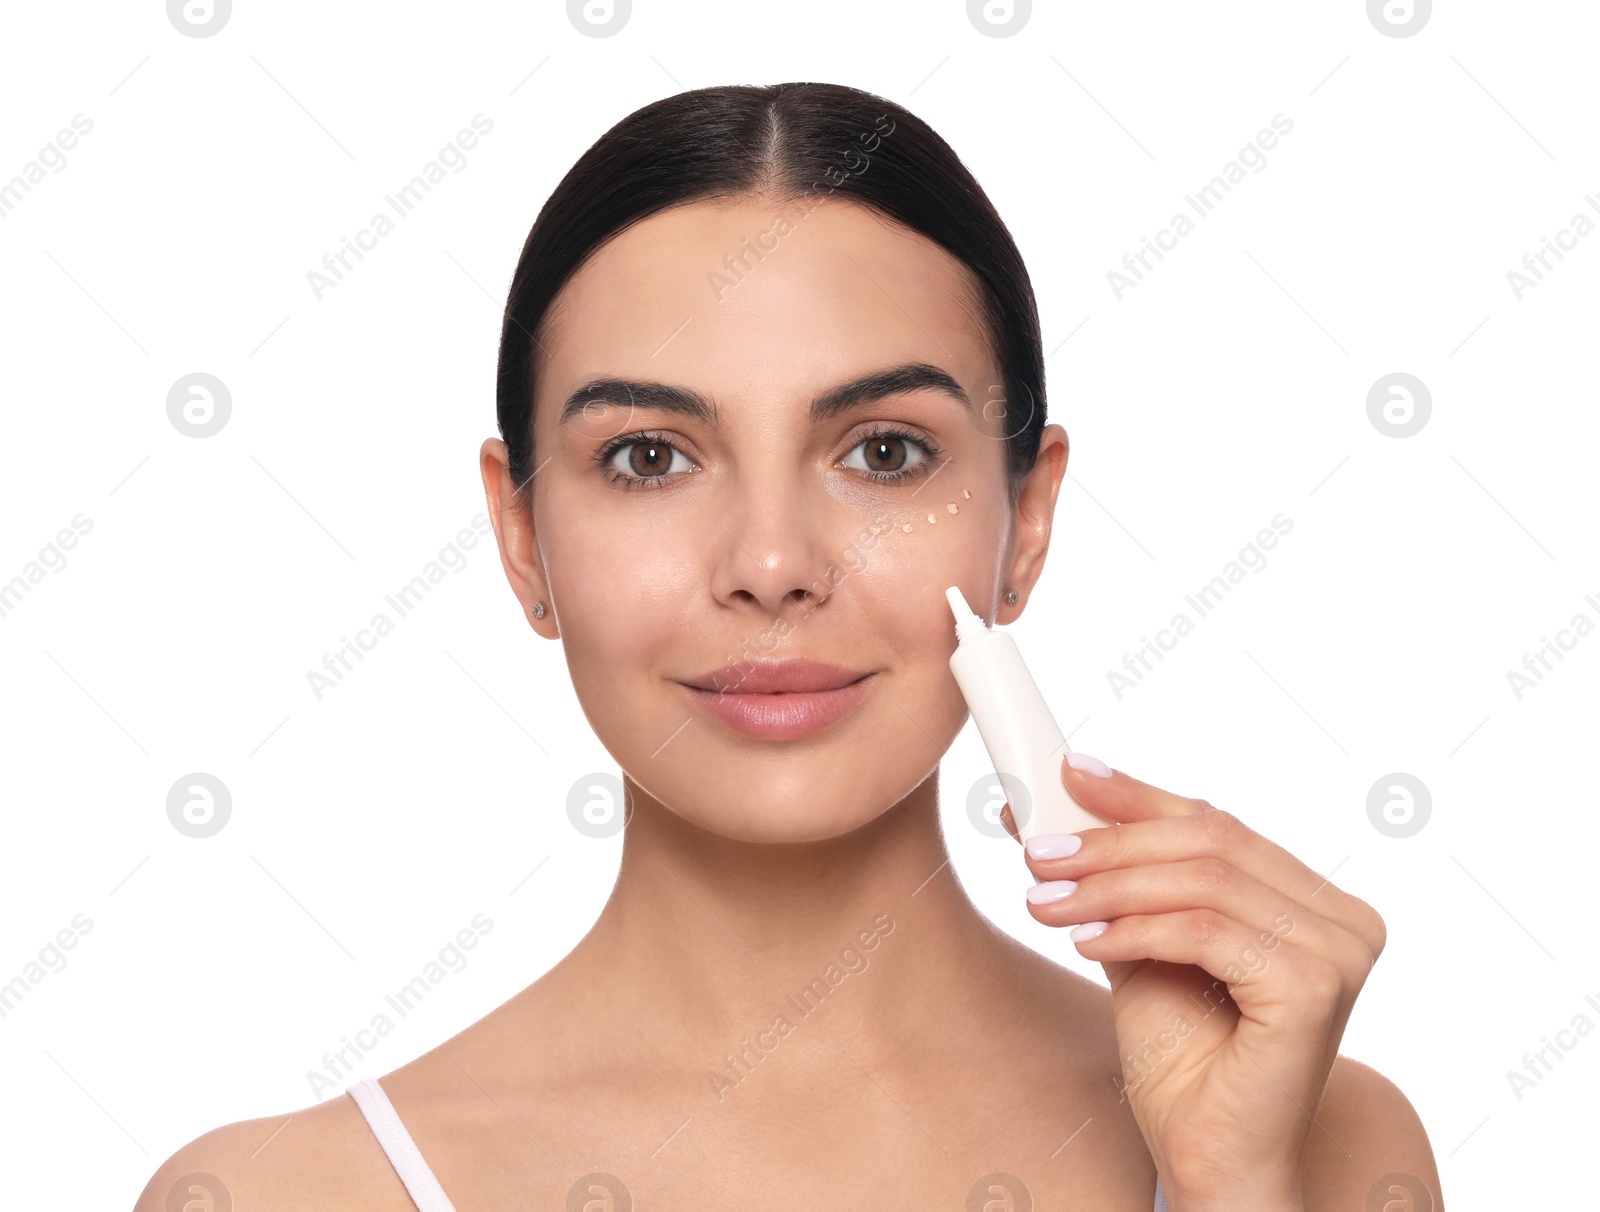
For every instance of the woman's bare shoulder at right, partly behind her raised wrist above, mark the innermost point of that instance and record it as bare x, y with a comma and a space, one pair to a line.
1366, 1134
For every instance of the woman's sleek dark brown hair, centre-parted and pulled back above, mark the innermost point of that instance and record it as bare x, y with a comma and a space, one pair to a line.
793, 142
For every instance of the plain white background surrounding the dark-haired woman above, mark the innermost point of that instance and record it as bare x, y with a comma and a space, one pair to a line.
1228, 388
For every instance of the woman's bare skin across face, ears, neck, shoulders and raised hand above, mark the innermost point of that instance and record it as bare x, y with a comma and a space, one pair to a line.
950, 1051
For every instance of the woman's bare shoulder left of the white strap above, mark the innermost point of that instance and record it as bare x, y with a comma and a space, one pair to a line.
321, 1157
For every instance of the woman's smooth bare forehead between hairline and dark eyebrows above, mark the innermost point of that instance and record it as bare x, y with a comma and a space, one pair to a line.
766, 301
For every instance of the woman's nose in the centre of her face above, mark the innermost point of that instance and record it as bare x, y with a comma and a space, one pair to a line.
774, 546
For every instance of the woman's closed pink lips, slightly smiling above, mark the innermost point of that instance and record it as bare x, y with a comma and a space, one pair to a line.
780, 700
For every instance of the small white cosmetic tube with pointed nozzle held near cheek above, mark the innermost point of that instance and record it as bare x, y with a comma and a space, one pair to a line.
1020, 733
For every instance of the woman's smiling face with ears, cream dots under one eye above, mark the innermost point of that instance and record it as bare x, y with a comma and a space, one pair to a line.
762, 463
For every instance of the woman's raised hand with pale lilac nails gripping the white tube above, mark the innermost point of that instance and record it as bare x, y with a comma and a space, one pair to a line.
1233, 970
